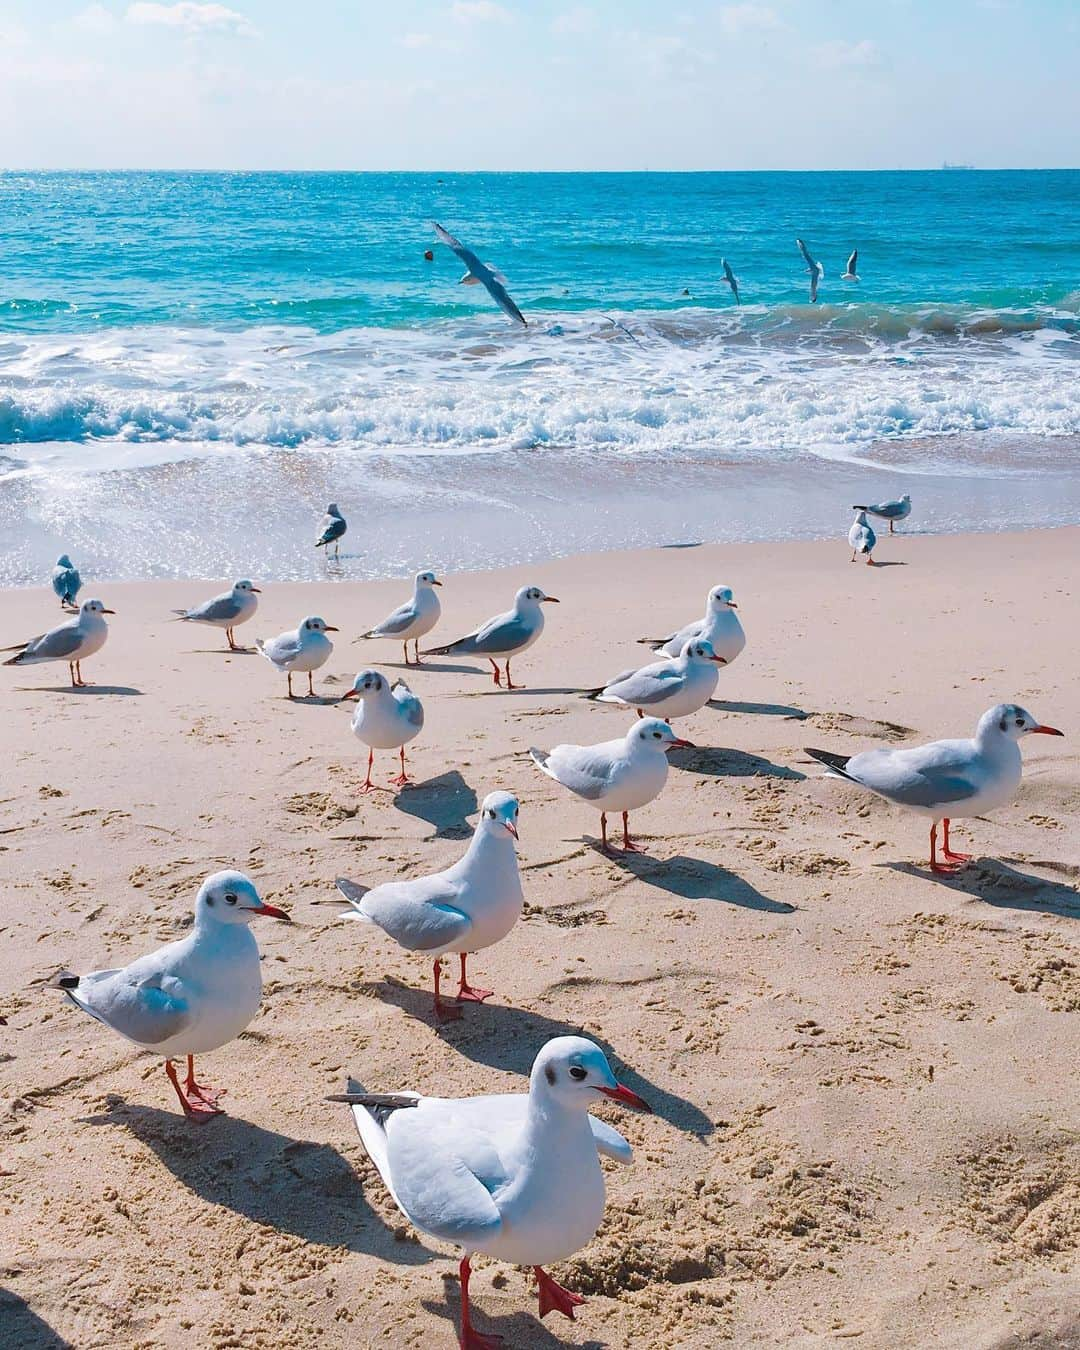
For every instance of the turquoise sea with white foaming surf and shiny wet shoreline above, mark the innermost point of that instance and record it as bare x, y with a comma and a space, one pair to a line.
192, 365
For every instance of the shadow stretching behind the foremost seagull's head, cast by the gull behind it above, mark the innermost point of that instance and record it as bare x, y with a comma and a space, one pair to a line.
508, 1039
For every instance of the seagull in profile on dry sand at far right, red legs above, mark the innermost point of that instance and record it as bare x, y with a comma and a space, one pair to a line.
947, 780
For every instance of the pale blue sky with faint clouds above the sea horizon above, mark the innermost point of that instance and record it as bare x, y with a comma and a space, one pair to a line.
502, 84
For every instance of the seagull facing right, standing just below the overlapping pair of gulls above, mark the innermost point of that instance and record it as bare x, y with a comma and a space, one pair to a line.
618, 776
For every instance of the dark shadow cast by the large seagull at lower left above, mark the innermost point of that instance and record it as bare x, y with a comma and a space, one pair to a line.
294, 1186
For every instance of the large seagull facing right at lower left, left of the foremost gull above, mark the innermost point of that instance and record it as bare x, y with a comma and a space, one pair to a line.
190, 997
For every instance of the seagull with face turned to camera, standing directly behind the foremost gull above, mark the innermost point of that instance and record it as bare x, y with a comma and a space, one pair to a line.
466, 908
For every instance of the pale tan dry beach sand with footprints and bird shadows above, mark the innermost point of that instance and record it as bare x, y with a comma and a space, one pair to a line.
865, 1078
